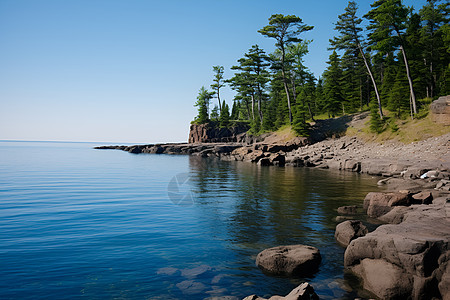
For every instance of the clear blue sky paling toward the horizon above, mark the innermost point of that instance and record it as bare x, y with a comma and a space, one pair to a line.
130, 71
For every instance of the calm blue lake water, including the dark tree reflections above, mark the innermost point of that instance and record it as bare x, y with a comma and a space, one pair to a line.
100, 224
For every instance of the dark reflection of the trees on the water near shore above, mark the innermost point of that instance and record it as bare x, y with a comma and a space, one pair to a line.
252, 208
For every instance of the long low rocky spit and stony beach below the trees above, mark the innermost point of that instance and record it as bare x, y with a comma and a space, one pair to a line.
347, 153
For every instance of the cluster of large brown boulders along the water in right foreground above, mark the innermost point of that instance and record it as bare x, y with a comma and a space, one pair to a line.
408, 258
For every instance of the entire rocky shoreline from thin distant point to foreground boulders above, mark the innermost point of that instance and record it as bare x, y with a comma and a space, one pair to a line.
407, 257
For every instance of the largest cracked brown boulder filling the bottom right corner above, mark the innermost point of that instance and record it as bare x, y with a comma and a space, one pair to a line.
409, 260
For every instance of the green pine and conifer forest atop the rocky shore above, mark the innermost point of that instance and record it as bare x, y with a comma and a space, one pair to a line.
398, 63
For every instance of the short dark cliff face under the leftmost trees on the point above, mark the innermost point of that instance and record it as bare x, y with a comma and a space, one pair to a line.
211, 133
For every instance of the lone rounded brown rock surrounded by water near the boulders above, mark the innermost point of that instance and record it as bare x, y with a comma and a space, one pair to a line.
293, 260
